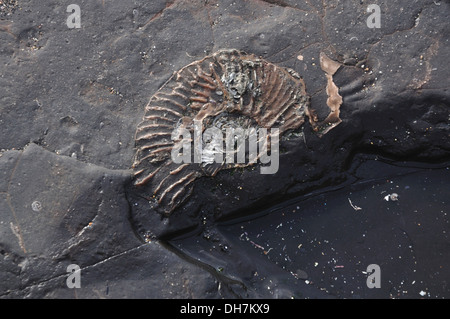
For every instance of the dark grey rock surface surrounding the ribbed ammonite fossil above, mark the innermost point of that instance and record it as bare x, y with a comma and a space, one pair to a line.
71, 100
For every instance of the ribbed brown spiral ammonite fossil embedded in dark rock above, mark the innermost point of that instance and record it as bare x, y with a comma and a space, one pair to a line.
227, 89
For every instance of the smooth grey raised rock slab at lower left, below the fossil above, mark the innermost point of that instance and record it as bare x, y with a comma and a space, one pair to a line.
57, 211
